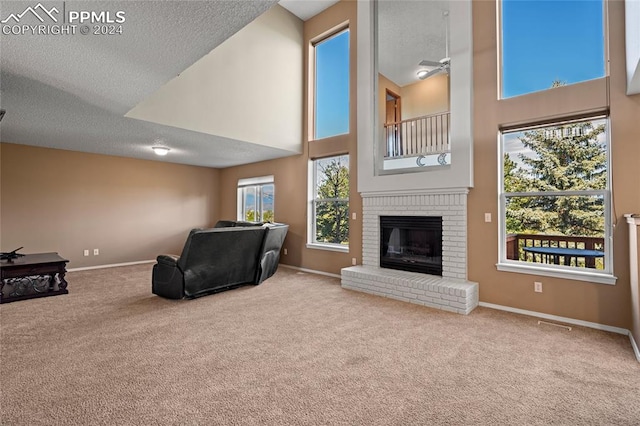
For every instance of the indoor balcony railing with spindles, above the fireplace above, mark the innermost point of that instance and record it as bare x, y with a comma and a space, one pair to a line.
424, 135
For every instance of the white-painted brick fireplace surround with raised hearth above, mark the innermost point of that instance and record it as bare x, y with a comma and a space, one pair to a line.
451, 291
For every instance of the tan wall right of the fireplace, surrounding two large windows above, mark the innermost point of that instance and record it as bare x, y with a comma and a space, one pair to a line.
599, 303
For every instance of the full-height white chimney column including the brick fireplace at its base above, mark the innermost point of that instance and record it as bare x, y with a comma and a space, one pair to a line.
438, 191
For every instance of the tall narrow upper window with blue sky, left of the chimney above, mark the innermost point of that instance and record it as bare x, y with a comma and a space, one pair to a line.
331, 86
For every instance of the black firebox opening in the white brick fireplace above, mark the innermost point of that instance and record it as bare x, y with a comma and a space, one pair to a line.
411, 243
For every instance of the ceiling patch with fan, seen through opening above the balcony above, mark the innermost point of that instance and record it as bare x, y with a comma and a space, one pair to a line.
408, 32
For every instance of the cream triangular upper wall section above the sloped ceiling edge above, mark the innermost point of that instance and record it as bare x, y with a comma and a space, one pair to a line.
223, 94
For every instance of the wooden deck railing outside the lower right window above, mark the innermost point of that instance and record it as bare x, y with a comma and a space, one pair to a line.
585, 252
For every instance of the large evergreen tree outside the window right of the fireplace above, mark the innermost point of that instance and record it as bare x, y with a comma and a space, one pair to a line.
569, 158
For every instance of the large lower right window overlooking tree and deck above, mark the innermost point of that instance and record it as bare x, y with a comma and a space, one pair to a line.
554, 198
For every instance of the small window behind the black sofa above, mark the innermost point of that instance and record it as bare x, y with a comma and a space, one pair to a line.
255, 199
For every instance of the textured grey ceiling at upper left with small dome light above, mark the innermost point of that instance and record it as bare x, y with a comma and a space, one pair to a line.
72, 91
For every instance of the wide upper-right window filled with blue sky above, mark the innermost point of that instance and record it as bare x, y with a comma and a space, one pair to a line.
550, 43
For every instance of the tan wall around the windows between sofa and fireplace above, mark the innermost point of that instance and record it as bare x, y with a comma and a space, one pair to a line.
290, 174
